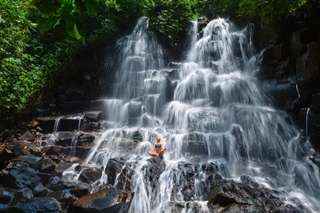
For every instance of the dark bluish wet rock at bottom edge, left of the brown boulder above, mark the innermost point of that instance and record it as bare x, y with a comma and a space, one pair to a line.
39, 204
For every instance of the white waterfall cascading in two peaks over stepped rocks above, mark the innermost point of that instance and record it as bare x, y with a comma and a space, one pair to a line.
212, 115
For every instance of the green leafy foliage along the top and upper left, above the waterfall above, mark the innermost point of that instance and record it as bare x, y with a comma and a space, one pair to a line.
38, 37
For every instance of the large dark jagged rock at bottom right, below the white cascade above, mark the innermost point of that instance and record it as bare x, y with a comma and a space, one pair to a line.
247, 196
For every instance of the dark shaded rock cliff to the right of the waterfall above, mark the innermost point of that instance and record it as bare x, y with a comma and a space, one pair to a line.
291, 68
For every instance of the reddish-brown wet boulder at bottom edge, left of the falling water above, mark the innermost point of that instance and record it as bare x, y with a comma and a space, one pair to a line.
108, 199
